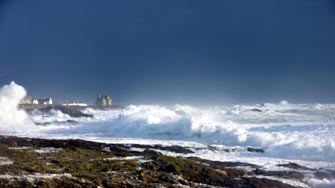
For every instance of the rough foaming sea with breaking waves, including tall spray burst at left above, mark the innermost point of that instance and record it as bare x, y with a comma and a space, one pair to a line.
268, 135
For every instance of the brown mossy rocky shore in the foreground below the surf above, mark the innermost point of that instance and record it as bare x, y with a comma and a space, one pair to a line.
29, 162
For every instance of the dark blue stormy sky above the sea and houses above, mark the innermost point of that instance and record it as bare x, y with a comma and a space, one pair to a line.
175, 51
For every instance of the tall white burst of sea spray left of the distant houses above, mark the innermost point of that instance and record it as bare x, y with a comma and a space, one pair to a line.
12, 119
